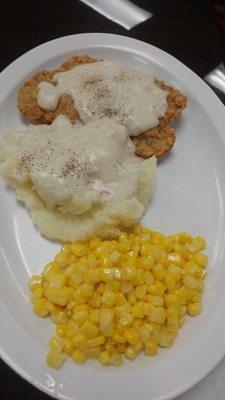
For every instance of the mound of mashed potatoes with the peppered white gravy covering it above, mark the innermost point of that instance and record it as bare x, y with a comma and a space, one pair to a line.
78, 181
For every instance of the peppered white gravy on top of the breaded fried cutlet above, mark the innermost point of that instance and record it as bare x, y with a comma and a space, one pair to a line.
105, 89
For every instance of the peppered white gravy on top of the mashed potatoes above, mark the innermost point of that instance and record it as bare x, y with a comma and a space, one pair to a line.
95, 161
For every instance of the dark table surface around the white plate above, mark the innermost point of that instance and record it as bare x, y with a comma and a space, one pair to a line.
190, 30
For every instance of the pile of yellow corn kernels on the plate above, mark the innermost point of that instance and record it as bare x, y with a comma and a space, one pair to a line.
118, 297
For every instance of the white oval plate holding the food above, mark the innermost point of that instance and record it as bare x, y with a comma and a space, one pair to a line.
189, 196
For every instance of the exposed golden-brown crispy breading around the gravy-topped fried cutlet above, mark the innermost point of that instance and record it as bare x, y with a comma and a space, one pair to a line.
156, 141
